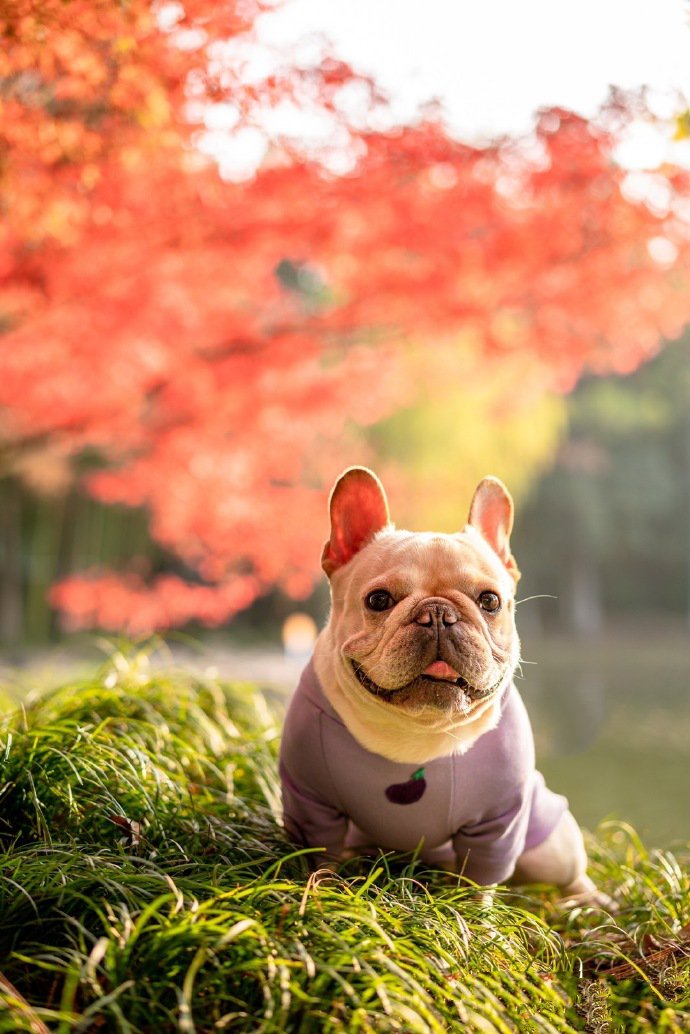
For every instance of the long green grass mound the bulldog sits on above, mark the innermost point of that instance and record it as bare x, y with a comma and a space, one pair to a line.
146, 886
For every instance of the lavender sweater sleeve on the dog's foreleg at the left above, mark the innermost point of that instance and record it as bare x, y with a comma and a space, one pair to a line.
313, 816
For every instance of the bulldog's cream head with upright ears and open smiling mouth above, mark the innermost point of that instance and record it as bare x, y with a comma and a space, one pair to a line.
422, 641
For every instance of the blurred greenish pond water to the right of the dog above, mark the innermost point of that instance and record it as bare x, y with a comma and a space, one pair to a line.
612, 721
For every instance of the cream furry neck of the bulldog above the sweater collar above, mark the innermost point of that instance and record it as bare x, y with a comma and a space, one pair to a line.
398, 736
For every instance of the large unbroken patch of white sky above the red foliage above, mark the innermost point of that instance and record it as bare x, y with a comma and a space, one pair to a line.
494, 63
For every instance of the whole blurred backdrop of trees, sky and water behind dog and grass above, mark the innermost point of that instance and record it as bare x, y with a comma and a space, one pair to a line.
244, 247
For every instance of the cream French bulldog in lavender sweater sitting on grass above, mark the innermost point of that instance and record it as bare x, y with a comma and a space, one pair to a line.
407, 733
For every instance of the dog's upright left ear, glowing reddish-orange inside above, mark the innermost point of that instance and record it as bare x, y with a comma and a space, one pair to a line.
358, 509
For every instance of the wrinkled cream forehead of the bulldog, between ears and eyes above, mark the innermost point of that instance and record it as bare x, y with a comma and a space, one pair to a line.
430, 564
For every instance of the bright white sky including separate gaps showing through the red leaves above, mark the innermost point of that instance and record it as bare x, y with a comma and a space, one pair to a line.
491, 64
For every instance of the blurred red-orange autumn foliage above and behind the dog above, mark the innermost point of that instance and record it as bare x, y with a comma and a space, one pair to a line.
214, 342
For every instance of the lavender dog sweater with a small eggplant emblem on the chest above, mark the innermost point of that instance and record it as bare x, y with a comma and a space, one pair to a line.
482, 809
